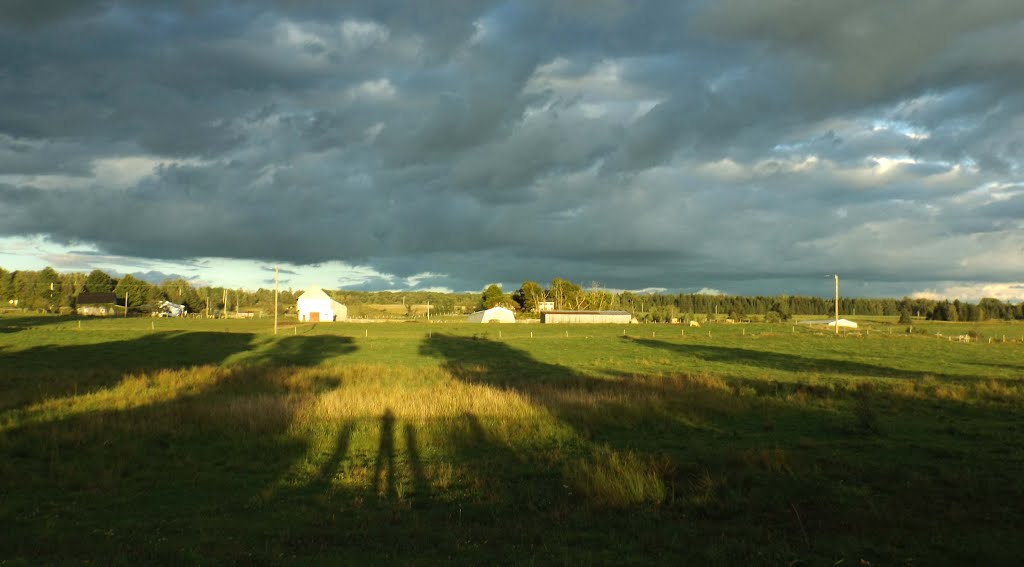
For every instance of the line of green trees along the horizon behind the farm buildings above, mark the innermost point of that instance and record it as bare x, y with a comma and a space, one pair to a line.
50, 291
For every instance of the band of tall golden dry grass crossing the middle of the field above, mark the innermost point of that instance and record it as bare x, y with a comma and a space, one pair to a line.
547, 422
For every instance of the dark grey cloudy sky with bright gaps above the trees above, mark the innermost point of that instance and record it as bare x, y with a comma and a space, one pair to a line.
734, 147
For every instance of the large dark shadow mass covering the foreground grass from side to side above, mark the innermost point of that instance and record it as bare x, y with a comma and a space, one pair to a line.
223, 476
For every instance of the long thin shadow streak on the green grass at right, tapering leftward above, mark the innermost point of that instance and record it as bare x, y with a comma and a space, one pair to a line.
790, 363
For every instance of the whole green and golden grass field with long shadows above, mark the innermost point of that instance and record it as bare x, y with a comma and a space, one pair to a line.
133, 442
